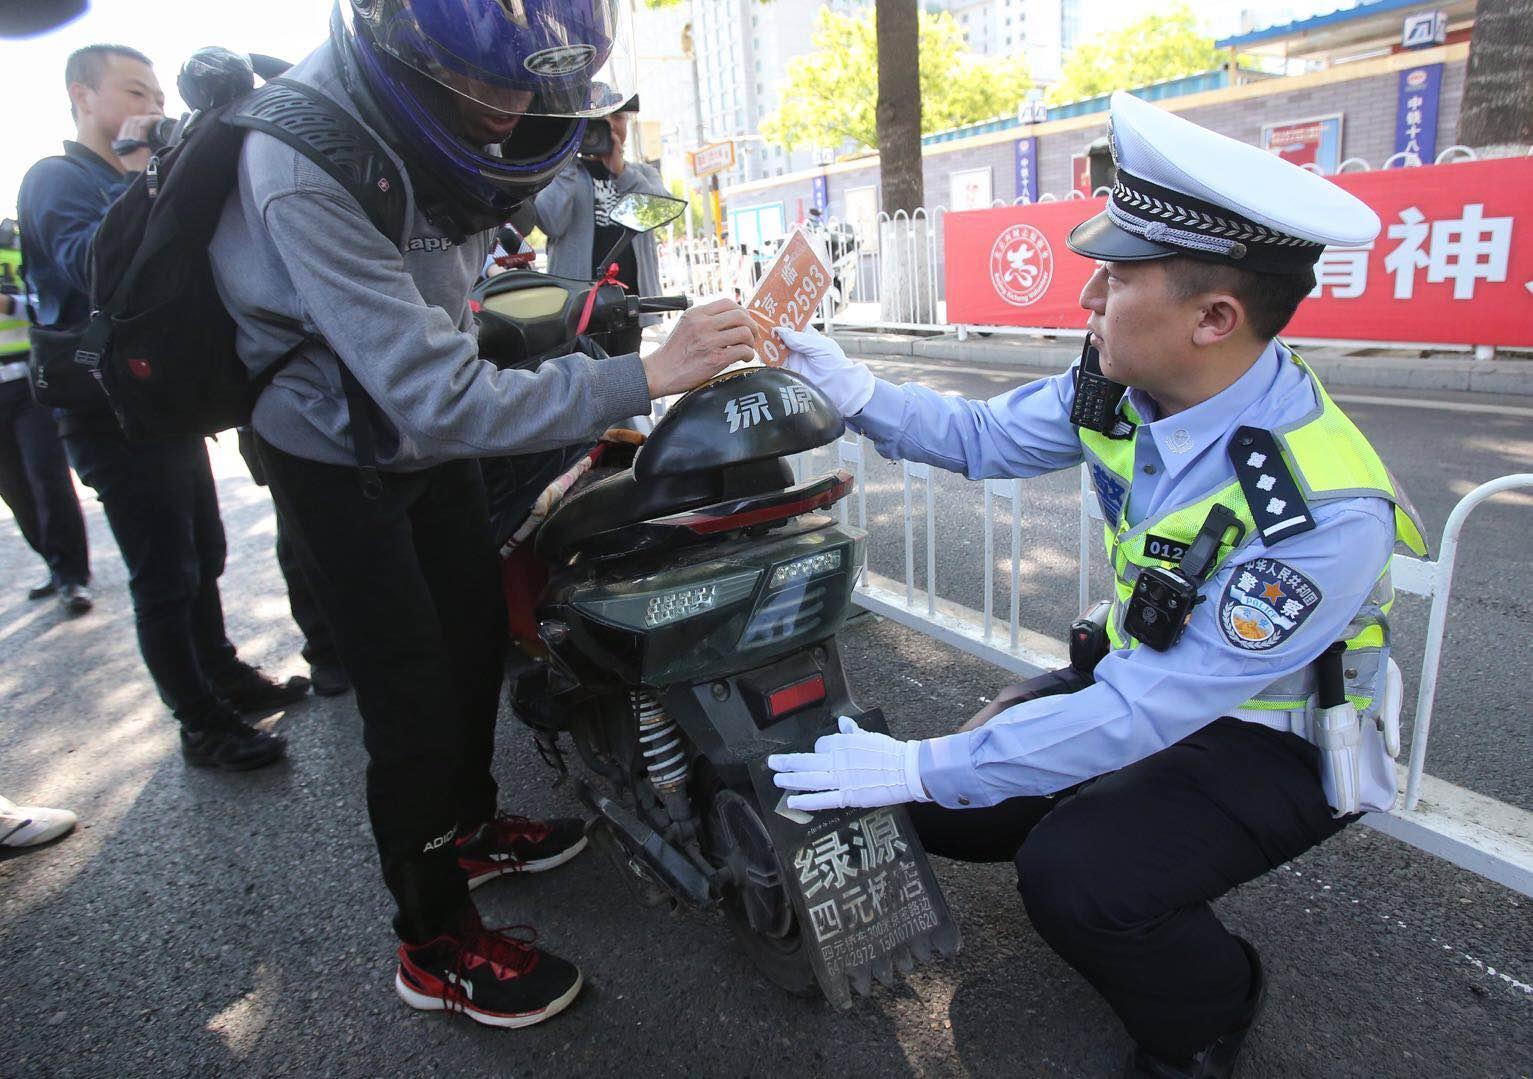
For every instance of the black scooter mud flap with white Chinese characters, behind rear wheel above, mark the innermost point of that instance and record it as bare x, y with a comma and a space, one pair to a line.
862, 888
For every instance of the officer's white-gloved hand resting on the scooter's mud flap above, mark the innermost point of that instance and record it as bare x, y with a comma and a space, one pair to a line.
853, 769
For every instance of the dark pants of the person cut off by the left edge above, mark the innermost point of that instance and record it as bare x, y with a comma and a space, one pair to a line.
36, 485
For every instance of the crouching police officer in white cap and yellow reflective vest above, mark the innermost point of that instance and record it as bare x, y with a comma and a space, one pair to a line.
1239, 707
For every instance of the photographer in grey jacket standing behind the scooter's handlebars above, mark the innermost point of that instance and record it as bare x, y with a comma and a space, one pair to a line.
576, 214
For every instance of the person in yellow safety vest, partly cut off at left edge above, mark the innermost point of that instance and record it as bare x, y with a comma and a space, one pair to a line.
34, 474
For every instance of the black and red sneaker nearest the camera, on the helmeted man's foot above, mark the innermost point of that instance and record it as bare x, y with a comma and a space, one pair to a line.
488, 976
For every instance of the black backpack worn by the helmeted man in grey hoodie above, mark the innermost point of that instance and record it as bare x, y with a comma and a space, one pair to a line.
160, 332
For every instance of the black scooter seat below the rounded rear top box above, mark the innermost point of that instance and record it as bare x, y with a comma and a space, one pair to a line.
625, 500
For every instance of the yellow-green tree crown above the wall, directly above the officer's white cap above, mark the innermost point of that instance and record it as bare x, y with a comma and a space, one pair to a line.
1155, 48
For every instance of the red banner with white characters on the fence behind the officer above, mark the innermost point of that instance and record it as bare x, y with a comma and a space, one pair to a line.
1453, 264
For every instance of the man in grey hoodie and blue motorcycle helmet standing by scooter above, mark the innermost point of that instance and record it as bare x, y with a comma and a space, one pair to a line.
479, 114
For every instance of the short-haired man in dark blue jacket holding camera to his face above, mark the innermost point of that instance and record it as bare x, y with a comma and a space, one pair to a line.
159, 494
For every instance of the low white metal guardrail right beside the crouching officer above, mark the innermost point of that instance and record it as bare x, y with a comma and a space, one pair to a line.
1474, 831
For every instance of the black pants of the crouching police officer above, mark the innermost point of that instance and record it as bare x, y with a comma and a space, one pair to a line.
1118, 874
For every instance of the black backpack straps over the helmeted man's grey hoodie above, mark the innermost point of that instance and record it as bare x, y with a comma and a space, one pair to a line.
336, 142
